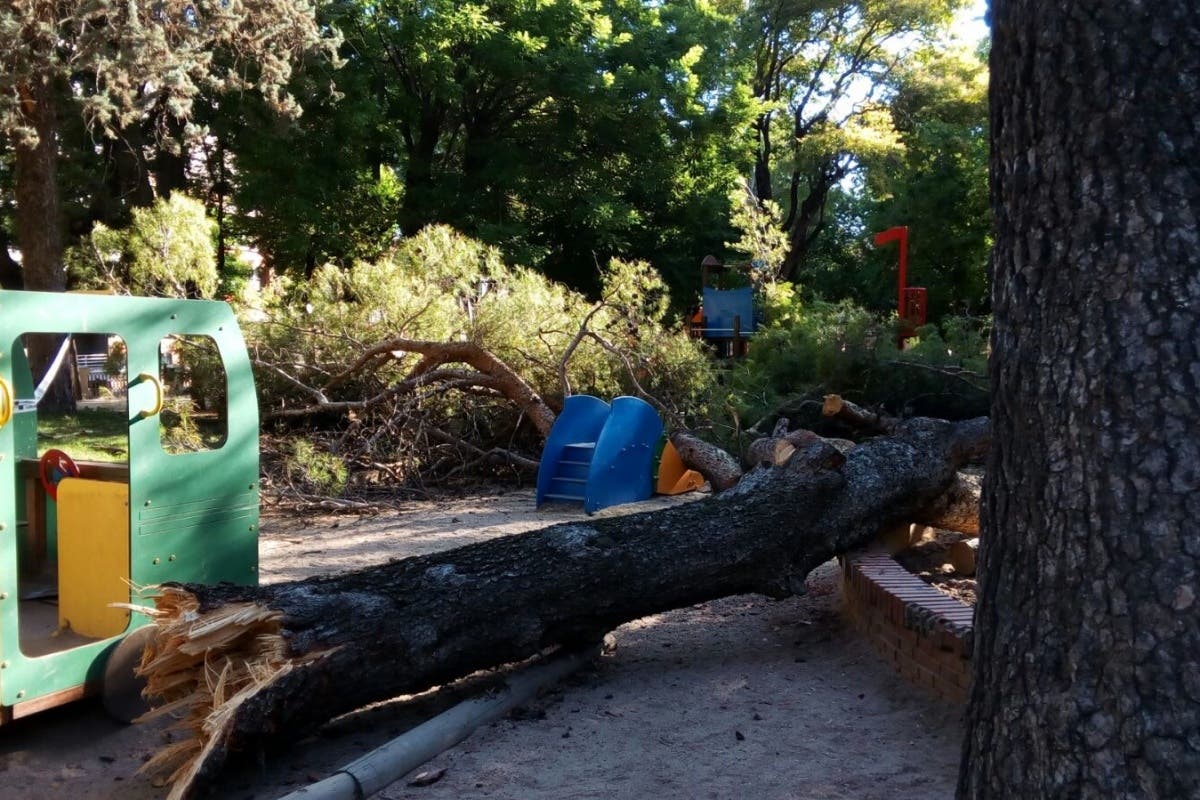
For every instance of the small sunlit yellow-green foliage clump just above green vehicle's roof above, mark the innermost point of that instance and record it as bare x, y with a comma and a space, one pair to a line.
167, 251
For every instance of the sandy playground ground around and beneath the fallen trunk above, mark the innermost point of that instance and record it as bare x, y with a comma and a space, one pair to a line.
737, 699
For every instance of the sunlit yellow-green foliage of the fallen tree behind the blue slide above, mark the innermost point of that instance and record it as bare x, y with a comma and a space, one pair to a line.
440, 286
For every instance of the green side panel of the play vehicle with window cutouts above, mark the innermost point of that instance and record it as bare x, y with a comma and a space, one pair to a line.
194, 516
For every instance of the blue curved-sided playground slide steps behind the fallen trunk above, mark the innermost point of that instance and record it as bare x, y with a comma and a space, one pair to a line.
601, 455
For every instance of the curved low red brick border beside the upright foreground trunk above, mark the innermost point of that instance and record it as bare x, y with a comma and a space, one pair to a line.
926, 635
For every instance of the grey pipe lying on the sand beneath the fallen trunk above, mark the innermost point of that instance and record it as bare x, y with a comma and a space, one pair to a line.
387, 765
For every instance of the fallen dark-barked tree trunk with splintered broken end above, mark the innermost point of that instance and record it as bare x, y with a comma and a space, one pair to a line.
247, 666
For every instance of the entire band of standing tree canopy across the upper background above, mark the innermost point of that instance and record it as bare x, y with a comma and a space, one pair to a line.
566, 134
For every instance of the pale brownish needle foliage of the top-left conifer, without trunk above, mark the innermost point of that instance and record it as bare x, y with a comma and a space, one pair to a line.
118, 49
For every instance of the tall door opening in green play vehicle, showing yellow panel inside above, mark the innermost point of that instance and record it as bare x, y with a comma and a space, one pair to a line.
71, 431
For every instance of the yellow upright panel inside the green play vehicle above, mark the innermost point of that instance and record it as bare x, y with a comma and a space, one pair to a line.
94, 556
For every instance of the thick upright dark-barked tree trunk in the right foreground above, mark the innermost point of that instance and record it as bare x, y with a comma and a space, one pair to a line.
1088, 630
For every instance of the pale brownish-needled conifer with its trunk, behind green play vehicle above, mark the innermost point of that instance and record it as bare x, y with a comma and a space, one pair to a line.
118, 63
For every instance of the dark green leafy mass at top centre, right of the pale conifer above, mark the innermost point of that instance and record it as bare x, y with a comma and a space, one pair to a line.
565, 134
